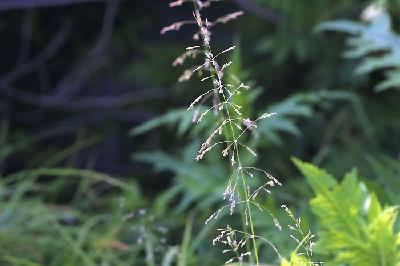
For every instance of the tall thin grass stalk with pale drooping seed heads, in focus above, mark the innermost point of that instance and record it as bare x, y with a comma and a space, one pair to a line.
230, 137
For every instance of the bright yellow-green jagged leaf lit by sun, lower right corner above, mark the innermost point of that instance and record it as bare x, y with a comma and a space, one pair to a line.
353, 225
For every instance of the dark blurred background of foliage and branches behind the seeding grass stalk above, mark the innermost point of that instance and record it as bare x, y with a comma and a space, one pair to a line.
86, 179
